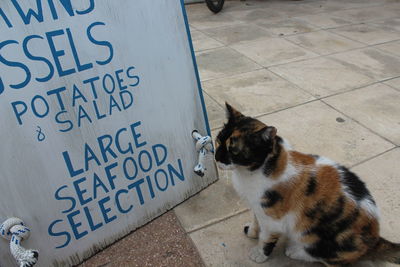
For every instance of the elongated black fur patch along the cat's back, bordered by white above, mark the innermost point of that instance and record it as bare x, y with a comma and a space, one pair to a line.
355, 186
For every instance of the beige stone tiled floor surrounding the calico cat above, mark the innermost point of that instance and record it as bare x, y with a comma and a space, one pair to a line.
326, 73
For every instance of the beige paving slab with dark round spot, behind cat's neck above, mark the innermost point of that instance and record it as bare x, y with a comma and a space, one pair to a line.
318, 129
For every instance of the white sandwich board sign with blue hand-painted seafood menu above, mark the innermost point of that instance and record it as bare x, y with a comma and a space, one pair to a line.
98, 99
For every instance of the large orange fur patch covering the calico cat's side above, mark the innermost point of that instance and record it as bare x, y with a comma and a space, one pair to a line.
363, 231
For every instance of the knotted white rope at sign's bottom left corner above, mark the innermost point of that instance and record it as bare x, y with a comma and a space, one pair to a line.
13, 229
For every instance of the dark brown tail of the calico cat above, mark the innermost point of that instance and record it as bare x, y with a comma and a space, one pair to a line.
384, 250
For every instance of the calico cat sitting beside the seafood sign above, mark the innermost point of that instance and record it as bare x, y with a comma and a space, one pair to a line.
325, 210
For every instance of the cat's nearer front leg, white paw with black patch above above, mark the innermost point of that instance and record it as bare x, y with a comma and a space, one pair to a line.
261, 252
